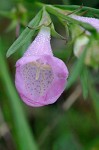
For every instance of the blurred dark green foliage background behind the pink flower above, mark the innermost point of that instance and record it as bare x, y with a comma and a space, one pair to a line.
72, 123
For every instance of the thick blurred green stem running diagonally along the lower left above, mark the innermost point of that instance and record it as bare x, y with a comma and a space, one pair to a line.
21, 127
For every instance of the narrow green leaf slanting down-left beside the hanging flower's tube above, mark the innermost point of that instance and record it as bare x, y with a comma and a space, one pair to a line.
25, 35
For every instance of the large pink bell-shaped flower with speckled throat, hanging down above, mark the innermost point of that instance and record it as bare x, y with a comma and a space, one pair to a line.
40, 77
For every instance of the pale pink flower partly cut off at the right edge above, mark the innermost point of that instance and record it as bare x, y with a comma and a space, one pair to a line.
92, 21
